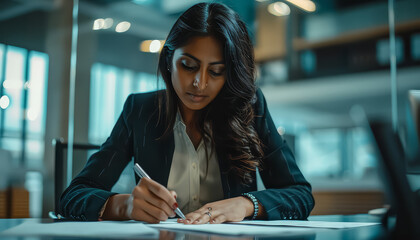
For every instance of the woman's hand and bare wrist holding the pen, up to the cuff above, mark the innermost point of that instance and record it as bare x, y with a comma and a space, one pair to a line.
149, 202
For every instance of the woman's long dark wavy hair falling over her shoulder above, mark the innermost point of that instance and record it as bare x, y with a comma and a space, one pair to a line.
230, 115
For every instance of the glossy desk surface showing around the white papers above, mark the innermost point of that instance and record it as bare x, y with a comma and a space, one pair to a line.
360, 233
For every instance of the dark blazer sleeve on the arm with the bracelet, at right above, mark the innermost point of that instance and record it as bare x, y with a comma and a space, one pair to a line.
287, 195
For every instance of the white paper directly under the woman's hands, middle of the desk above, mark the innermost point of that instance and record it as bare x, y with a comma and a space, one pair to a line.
233, 229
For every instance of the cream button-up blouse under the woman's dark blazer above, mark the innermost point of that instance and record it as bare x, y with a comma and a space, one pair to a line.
187, 176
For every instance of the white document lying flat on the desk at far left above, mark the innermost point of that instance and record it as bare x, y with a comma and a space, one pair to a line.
103, 229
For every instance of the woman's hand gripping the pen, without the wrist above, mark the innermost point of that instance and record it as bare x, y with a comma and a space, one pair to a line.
151, 202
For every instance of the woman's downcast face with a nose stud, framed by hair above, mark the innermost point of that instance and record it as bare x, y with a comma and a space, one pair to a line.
198, 72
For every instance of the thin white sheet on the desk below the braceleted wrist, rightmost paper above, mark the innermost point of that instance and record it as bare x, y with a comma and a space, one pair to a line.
308, 224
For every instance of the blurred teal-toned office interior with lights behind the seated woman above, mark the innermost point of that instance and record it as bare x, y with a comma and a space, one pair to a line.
66, 68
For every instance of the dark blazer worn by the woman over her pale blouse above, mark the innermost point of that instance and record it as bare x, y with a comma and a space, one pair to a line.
288, 194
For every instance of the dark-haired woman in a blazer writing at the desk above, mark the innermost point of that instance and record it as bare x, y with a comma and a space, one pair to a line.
203, 138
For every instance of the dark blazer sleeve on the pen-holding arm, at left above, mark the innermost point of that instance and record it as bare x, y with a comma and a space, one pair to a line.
90, 189
